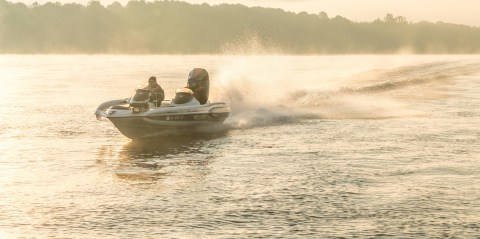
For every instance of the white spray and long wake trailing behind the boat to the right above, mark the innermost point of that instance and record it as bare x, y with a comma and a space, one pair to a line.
264, 90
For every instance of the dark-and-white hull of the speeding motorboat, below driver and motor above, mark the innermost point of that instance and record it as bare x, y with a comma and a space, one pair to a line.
169, 119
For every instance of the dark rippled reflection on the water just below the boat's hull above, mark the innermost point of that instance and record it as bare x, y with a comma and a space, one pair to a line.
178, 158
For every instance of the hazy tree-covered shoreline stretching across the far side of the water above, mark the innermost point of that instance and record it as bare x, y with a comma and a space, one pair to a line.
165, 27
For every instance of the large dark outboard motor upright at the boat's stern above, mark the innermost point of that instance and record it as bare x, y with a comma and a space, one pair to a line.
199, 83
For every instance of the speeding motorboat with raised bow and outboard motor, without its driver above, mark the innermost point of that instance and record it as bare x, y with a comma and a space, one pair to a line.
188, 112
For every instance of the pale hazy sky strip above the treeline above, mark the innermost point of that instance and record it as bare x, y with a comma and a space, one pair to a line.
453, 11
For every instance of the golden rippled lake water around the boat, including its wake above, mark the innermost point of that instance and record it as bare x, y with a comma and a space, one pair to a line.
317, 146
